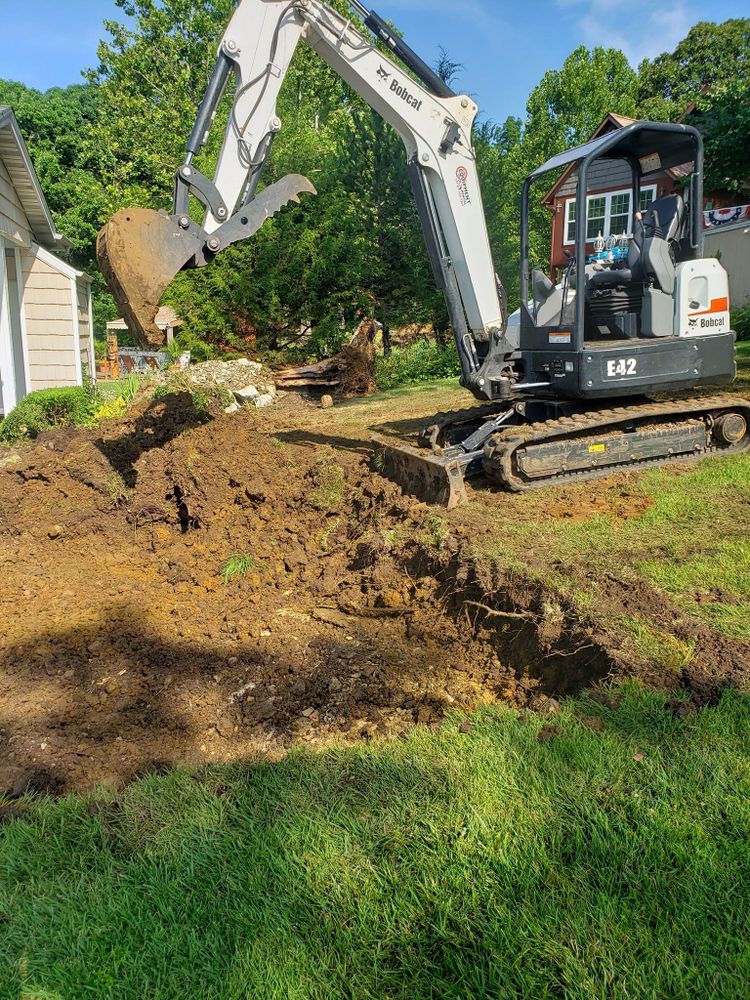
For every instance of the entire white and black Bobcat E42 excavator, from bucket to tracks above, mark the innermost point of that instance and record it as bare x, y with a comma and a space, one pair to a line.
568, 389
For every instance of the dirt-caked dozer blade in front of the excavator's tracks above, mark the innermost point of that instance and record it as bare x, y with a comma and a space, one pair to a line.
435, 479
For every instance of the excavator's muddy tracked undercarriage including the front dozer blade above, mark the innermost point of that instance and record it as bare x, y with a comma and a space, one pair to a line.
532, 443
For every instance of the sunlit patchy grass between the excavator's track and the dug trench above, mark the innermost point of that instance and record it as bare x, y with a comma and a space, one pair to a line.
692, 539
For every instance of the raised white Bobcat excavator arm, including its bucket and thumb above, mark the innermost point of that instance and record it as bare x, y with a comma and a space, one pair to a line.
140, 251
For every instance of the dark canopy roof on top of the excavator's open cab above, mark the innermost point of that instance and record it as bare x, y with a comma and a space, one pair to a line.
674, 144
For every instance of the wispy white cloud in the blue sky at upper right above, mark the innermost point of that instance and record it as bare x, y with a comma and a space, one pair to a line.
642, 30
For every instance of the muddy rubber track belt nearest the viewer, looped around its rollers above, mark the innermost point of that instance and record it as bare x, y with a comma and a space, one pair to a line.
501, 448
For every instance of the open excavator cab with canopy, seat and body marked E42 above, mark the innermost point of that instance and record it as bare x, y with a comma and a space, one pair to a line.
636, 311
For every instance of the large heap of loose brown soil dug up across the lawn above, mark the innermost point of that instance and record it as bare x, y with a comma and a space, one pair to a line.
126, 648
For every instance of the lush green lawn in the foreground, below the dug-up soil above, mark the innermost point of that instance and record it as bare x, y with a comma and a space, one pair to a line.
590, 863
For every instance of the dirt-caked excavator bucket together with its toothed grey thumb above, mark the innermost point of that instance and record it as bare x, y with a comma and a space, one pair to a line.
140, 251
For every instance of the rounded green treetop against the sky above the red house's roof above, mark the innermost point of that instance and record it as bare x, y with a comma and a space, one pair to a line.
709, 55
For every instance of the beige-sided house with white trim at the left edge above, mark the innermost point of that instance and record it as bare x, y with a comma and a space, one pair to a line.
46, 331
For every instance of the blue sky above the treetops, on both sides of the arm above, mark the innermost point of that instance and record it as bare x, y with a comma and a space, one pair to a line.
505, 47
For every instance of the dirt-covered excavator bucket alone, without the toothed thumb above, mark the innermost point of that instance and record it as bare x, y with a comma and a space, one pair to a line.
139, 252
